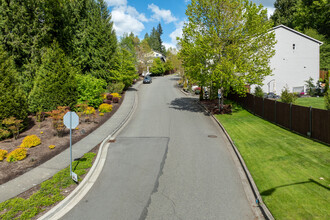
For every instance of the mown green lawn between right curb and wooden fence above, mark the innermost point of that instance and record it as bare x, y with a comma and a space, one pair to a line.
292, 172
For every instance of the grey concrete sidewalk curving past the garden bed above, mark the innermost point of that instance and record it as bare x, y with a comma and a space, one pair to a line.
48, 169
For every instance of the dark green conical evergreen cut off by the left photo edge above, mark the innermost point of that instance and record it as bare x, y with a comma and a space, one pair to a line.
12, 98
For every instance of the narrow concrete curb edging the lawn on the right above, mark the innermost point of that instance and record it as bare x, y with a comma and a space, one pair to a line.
263, 208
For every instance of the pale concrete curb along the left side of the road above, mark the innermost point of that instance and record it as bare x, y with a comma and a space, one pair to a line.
70, 201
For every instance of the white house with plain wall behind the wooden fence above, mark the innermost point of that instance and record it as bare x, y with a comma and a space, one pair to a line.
297, 57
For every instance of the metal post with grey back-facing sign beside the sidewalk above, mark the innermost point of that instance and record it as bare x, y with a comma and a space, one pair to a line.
71, 121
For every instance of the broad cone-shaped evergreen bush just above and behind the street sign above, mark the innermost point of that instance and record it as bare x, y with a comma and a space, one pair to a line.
55, 84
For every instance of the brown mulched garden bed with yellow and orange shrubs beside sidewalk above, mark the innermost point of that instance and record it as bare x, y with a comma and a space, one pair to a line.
51, 141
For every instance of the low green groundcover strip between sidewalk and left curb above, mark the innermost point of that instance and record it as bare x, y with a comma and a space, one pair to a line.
50, 192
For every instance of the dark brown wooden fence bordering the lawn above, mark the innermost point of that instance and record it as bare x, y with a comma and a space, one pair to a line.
310, 122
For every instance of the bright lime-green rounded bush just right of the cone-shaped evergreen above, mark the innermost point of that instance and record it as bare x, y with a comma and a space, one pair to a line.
90, 89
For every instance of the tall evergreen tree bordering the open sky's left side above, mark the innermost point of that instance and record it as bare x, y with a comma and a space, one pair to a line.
95, 41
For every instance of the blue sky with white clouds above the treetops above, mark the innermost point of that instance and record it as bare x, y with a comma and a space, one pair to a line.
140, 16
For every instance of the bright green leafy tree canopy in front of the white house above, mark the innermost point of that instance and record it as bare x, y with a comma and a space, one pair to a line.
226, 44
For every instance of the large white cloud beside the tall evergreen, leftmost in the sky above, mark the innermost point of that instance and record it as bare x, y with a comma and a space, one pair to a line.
126, 19
